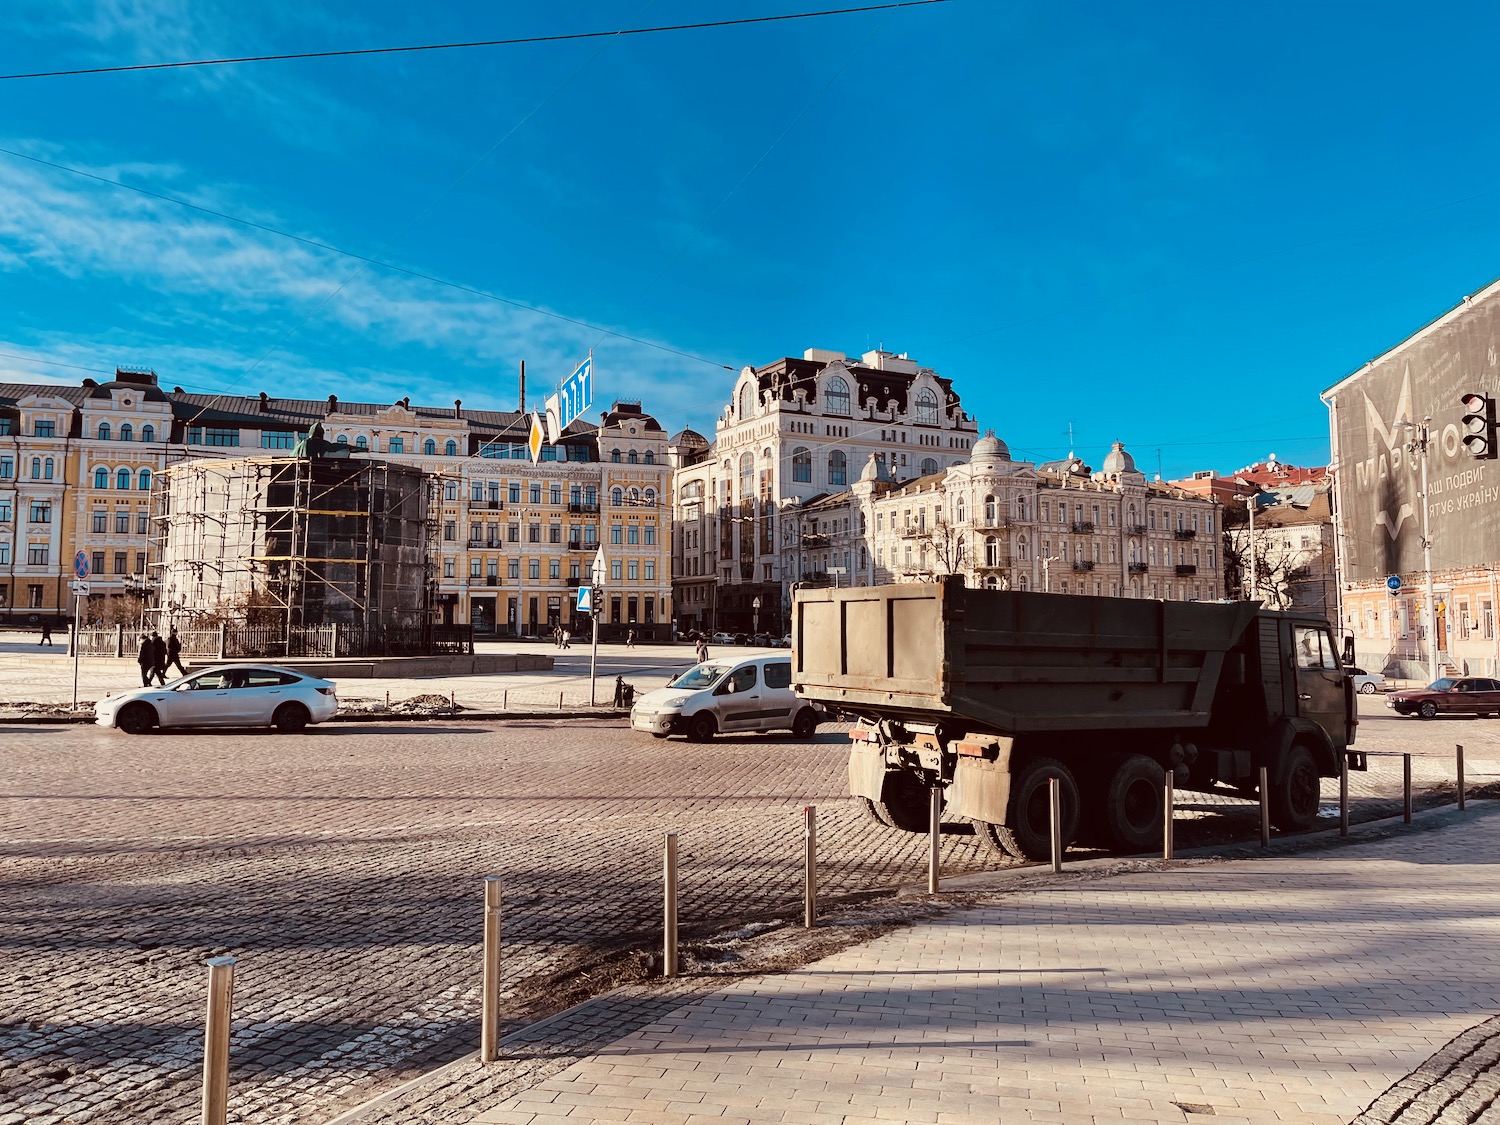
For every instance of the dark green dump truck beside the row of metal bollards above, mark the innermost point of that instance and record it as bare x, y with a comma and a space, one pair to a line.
988, 695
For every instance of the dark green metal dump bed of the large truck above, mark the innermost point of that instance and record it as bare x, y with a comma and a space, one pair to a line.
1013, 662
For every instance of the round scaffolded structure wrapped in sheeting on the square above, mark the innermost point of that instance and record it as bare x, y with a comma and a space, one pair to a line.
293, 551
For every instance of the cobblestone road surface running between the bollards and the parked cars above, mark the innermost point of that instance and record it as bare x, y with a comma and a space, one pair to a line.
344, 869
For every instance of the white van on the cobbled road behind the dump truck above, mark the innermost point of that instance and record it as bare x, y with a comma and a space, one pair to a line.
725, 697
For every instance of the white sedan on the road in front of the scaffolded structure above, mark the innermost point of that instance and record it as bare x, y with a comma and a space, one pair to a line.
235, 695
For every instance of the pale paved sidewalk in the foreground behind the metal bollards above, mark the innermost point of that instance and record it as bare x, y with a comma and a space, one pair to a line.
1292, 989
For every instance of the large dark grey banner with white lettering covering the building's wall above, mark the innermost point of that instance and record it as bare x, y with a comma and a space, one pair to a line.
1379, 478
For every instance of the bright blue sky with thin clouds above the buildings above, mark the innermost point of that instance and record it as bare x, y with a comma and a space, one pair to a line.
1165, 224
